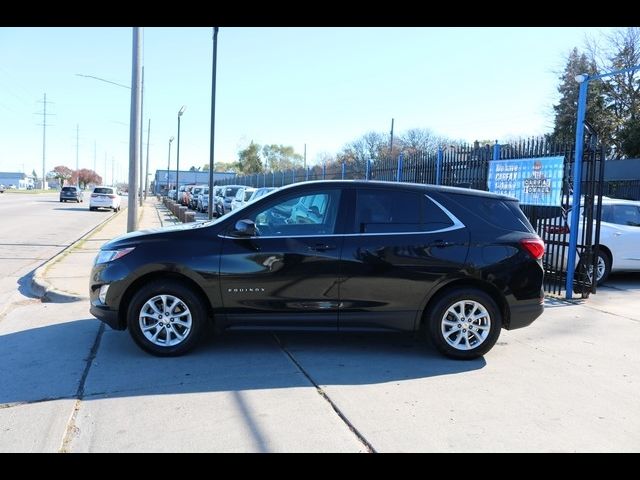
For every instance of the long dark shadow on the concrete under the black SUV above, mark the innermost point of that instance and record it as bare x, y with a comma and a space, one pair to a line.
49, 363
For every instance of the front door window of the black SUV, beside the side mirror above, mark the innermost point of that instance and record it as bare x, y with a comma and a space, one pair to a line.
309, 214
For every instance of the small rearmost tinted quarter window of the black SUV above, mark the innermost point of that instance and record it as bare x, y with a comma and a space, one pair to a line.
503, 214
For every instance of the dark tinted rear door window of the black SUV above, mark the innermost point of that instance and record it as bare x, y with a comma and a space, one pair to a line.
388, 211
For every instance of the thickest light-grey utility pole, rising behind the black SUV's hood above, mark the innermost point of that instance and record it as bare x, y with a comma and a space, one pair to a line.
134, 130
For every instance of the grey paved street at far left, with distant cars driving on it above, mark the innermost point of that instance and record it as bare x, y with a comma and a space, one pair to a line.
34, 228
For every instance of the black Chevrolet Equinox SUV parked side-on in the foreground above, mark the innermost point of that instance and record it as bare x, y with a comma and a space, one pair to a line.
336, 255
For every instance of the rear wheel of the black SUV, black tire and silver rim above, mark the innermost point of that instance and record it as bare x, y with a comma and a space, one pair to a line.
481, 303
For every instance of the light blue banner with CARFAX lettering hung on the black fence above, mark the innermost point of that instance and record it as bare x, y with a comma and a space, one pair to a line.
533, 181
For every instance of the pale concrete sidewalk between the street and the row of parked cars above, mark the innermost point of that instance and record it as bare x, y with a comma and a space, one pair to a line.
65, 278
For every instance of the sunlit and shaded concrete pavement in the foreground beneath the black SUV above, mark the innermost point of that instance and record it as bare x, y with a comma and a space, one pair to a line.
569, 382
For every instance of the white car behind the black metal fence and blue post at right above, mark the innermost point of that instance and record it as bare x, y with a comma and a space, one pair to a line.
619, 237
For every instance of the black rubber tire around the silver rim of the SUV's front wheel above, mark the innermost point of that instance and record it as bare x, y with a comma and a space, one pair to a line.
193, 303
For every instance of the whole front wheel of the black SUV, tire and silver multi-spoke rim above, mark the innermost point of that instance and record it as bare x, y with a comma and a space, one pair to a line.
166, 318
